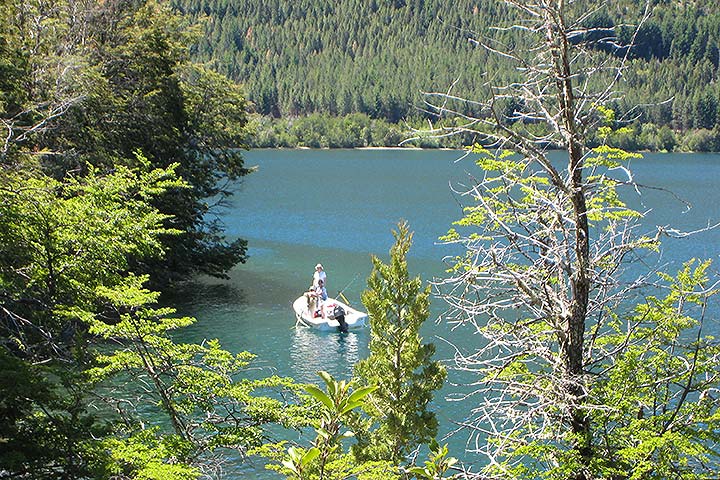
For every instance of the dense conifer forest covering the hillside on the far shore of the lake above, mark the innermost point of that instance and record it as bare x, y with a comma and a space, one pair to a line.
377, 58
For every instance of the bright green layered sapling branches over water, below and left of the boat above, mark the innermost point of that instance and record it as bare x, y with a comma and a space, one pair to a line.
191, 384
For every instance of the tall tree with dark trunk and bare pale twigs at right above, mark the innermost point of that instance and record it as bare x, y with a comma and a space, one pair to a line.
544, 273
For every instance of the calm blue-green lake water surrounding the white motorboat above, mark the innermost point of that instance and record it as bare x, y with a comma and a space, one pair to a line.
302, 207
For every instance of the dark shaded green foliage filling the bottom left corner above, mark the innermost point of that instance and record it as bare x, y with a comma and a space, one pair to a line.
48, 423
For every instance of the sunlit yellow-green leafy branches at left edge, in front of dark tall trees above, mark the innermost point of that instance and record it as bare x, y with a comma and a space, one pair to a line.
61, 240
